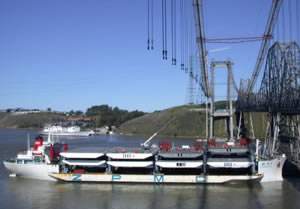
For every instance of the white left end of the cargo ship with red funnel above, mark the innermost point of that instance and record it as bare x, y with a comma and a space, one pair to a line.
37, 161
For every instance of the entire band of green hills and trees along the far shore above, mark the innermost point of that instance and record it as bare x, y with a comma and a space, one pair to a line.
189, 121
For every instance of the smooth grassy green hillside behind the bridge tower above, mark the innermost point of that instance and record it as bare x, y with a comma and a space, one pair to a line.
189, 122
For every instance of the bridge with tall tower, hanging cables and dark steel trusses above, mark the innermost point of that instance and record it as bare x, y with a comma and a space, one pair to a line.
273, 88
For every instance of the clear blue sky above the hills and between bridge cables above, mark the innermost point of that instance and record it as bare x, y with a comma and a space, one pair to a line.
73, 54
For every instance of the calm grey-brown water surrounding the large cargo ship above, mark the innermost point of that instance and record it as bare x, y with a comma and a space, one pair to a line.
28, 194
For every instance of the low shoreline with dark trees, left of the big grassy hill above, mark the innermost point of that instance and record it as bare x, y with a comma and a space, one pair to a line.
104, 115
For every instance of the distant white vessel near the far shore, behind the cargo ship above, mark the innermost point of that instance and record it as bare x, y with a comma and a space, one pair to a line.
57, 130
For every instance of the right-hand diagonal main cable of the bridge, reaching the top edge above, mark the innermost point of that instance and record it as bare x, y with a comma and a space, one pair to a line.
265, 43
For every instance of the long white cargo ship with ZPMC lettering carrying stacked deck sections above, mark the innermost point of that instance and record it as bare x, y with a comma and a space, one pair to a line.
208, 161
